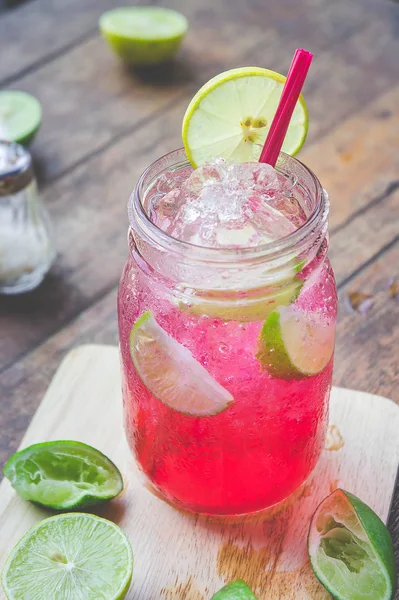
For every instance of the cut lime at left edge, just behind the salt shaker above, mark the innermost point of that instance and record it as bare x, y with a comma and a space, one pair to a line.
20, 116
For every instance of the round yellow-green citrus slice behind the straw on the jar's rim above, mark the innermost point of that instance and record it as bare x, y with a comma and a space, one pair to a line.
231, 115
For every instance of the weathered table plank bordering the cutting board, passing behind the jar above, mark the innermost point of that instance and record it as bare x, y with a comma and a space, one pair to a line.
367, 338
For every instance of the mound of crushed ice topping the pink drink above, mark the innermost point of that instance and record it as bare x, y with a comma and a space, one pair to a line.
229, 205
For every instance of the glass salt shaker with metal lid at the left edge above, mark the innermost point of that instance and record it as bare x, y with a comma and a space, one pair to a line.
27, 248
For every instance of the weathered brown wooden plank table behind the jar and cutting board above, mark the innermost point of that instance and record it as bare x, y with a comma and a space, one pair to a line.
103, 125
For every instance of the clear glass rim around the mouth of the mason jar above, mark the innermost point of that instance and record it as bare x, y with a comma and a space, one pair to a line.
142, 224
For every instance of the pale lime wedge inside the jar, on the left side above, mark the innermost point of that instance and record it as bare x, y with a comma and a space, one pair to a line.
172, 374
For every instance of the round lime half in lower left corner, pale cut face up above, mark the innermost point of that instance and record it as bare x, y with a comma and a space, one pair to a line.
73, 556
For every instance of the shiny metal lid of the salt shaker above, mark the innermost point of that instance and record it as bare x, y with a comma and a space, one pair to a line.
16, 170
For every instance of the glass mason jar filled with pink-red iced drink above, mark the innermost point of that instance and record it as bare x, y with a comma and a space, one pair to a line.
226, 353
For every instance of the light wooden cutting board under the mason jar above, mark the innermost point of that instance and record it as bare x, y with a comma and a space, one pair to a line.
182, 556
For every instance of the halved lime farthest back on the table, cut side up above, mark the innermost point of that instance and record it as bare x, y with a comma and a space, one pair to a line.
143, 35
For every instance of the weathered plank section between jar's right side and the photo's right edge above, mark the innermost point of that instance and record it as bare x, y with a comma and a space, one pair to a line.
366, 355
